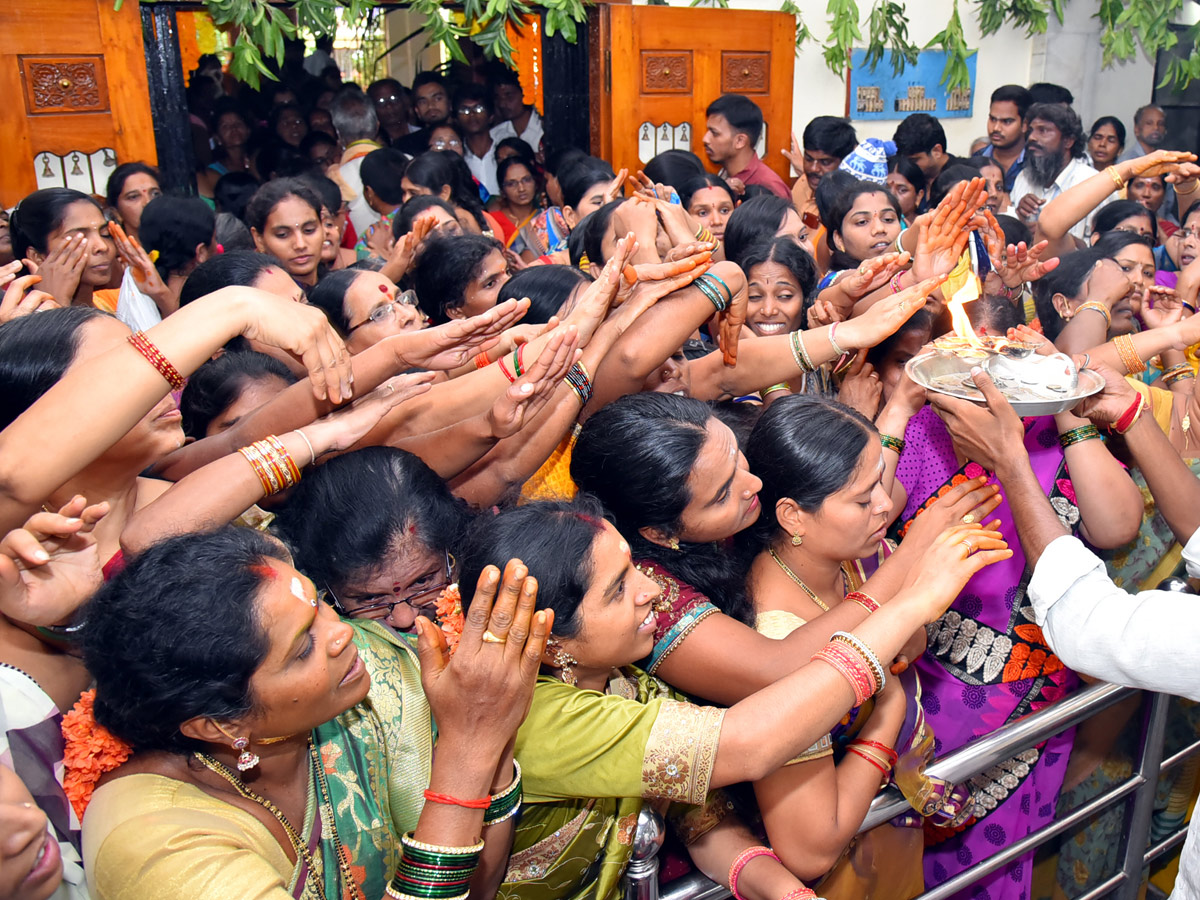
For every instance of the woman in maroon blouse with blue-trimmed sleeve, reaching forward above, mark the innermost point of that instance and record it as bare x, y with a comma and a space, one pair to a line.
671, 476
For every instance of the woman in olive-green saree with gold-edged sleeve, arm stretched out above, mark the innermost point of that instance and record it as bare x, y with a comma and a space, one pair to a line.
625, 740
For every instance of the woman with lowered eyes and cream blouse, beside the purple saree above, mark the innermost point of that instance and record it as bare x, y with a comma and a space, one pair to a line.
826, 509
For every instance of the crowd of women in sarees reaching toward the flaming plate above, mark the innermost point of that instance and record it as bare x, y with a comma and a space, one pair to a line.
419, 563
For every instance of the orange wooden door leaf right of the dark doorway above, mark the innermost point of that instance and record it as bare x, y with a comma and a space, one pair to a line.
662, 67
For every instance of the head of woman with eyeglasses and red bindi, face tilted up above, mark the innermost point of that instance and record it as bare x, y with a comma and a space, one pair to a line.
365, 308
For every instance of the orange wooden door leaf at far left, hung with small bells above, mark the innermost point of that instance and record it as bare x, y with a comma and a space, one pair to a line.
75, 81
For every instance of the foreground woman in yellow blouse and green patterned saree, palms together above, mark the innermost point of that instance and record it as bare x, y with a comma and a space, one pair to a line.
278, 751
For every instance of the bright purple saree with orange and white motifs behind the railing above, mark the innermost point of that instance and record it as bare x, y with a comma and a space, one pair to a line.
987, 664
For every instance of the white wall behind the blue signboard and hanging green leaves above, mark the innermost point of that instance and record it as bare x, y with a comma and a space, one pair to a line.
1070, 56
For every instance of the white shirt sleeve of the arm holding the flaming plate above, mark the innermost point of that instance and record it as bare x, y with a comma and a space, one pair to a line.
1149, 640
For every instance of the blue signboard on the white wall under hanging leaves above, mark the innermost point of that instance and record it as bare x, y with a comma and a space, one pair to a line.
917, 89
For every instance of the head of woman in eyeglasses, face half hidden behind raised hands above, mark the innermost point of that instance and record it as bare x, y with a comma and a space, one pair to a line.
374, 530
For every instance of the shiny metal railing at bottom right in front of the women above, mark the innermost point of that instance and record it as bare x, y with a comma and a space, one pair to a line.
974, 759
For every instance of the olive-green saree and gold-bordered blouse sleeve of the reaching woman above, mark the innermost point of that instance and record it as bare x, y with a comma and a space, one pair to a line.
584, 789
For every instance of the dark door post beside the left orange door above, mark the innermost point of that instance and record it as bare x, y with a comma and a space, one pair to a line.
169, 99
